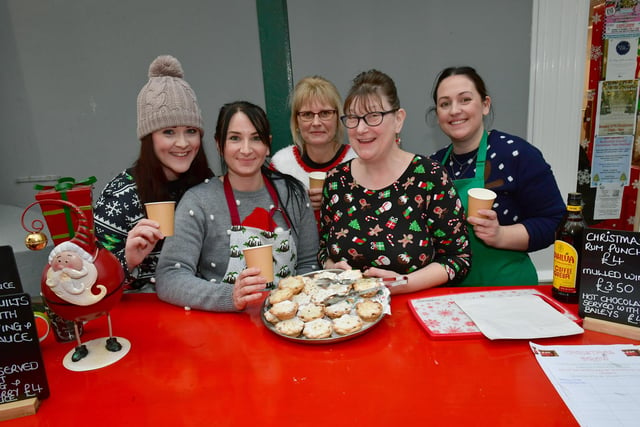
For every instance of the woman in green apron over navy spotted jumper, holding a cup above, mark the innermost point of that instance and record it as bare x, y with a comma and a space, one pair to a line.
528, 206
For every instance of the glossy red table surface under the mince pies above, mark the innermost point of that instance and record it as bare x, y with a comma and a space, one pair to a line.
227, 369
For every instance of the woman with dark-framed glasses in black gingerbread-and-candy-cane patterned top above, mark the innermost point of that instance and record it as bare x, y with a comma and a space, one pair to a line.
388, 211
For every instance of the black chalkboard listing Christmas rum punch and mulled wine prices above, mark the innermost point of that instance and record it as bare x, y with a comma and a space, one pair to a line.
610, 276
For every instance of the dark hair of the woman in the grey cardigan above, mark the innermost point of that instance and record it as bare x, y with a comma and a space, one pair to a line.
258, 119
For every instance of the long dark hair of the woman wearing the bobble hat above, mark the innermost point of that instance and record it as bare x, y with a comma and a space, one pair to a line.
153, 185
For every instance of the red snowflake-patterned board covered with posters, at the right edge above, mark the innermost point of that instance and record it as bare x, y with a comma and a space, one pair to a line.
613, 112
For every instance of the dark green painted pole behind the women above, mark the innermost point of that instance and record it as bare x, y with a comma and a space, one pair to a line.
277, 72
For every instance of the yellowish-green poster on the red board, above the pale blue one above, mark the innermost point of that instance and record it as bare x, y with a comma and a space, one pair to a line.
617, 107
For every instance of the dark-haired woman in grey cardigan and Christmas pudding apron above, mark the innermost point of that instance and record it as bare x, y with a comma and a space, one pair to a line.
202, 265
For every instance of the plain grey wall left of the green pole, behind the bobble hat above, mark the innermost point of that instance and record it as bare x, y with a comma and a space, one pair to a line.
72, 70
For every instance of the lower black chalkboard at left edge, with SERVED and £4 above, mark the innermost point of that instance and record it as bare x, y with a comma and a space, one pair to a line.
22, 373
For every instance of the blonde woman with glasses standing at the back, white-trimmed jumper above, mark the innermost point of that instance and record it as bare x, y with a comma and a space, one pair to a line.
316, 108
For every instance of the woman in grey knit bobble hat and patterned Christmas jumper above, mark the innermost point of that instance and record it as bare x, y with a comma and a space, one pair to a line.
171, 160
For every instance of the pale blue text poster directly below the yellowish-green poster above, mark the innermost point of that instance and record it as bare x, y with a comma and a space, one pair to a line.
611, 160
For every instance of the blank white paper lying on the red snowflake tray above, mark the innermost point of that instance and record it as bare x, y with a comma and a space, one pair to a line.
517, 317
